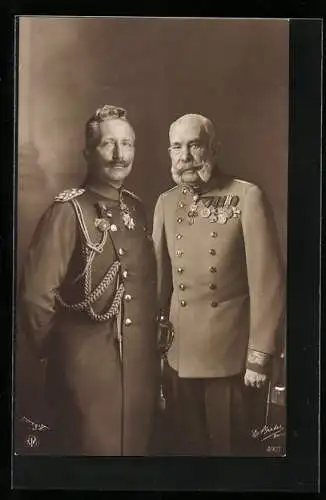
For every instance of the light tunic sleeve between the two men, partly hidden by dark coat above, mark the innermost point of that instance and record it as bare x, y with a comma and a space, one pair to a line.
163, 263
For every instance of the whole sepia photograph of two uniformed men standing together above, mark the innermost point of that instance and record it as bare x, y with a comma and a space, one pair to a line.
151, 237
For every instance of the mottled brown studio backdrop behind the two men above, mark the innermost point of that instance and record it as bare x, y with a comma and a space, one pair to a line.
233, 71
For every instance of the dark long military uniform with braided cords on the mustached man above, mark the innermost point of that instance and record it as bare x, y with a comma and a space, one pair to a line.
90, 280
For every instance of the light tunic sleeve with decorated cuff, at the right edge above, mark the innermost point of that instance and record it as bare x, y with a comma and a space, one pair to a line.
265, 278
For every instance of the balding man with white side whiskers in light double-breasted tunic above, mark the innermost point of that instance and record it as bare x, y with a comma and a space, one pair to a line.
221, 292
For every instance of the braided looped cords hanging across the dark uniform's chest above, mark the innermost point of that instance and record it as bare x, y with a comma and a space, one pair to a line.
91, 296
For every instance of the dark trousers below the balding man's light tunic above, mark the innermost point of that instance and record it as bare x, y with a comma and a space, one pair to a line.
210, 417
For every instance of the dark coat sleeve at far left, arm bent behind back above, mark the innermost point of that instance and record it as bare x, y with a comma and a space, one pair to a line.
44, 270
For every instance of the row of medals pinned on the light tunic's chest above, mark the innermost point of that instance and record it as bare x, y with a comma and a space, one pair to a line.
220, 209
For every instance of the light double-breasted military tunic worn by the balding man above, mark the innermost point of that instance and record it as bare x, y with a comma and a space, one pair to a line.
225, 277
